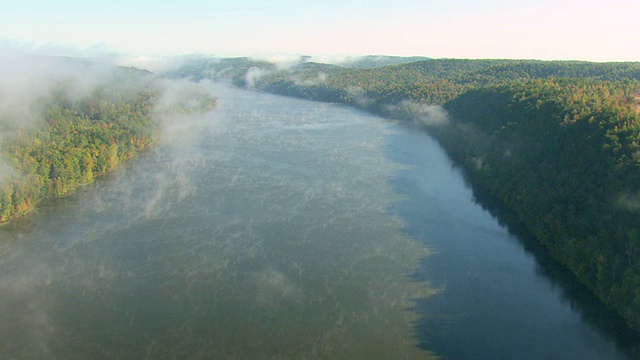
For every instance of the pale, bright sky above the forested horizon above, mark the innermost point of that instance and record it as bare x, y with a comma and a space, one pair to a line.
517, 29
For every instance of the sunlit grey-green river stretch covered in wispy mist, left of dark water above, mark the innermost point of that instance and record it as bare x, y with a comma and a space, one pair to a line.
258, 231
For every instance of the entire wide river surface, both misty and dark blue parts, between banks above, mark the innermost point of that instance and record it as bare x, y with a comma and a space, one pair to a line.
275, 228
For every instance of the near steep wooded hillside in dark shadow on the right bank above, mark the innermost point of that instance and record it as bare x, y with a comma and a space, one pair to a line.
564, 155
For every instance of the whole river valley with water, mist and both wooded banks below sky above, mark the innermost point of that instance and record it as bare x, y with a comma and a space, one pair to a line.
416, 208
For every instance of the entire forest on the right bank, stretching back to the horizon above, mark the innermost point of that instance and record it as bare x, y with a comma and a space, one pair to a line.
556, 142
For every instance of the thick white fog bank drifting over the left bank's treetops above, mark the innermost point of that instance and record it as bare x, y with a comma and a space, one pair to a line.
32, 80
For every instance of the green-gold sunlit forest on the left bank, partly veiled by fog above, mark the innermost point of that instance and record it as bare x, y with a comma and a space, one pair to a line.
74, 137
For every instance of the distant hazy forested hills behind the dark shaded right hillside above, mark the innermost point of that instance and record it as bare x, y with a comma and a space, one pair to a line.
431, 81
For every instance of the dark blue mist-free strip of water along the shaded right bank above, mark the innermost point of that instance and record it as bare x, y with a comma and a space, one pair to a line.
503, 297
